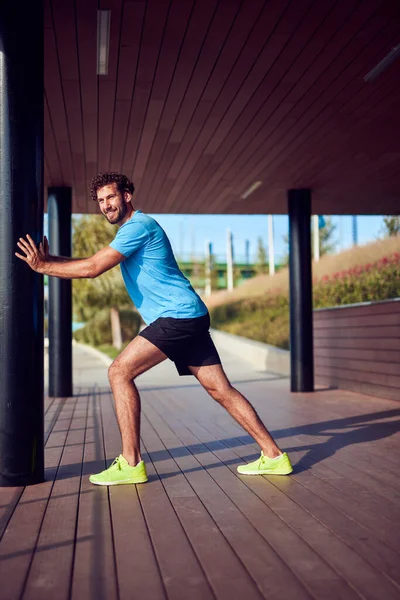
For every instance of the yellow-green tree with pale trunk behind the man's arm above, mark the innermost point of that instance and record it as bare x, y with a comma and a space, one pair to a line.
90, 234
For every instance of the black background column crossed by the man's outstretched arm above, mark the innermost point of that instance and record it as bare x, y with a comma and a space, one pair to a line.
60, 296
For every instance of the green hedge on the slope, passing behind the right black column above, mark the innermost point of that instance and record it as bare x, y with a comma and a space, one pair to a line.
266, 319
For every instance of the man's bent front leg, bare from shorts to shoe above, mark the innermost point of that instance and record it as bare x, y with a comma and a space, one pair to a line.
139, 356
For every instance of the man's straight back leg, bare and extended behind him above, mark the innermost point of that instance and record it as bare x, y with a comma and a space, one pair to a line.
216, 383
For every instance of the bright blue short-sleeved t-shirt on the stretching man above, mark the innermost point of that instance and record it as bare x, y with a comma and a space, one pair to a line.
152, 277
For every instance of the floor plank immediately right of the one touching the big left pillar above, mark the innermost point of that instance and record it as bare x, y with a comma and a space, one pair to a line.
50, 573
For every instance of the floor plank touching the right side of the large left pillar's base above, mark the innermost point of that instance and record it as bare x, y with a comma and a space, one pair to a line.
19, 541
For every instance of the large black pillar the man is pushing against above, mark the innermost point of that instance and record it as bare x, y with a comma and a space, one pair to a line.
21, 212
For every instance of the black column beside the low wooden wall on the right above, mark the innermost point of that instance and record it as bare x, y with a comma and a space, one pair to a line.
300, 276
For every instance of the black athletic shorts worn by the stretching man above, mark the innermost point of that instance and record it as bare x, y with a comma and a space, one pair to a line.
187, 342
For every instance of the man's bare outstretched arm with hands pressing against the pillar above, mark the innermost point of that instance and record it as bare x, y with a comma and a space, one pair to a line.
67, 268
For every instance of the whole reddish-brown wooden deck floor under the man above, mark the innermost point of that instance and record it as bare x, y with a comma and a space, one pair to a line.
197, 530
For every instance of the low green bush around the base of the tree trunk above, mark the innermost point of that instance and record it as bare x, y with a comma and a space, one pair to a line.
97, 330
